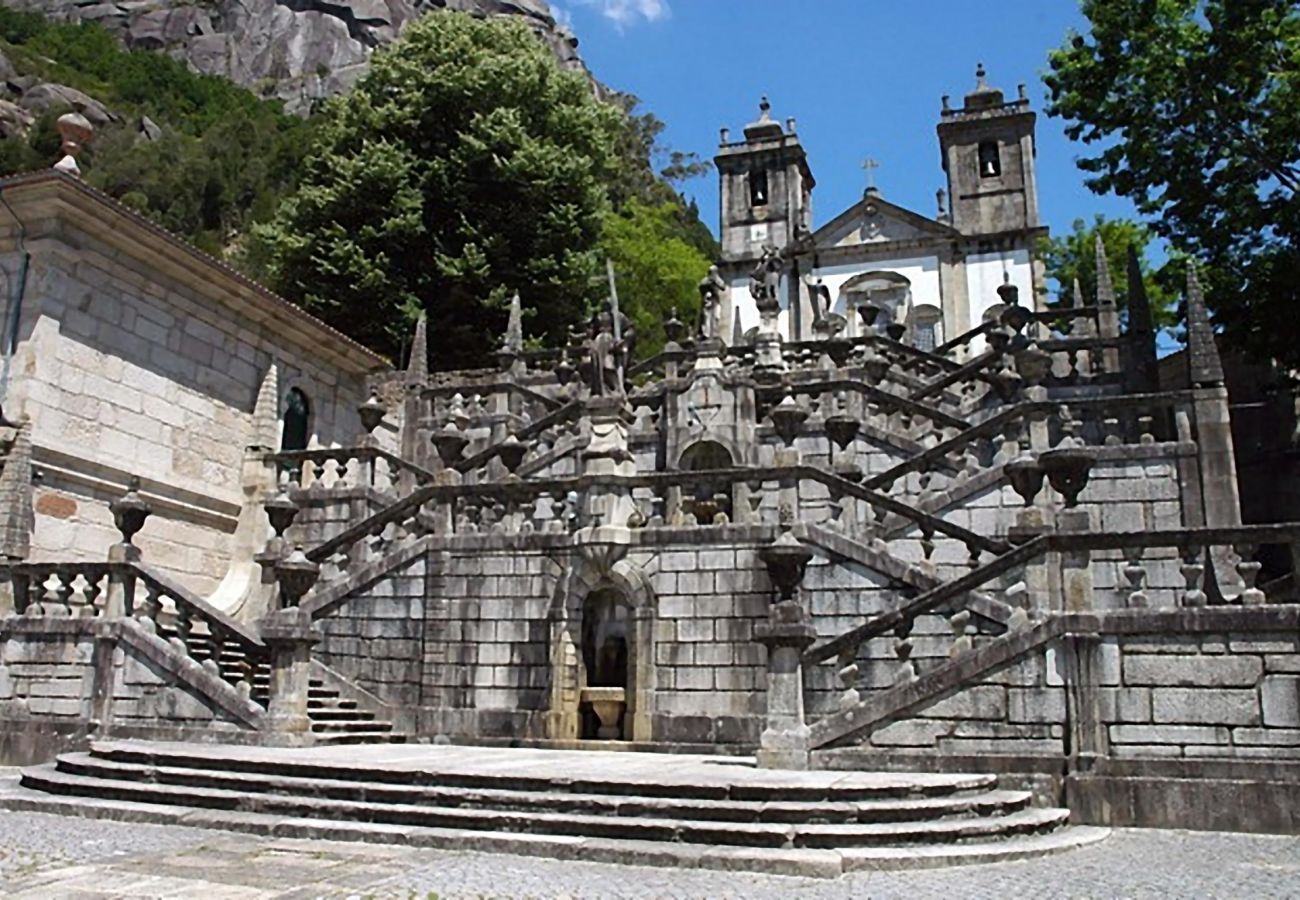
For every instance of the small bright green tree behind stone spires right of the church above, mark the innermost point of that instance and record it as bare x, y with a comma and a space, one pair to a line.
1073, 256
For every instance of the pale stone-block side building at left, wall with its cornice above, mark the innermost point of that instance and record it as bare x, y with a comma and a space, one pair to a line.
140, 357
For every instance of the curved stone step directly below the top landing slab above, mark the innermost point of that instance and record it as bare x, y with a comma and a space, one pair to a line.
991, 804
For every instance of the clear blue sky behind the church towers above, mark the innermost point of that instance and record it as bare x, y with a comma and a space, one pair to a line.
863, 77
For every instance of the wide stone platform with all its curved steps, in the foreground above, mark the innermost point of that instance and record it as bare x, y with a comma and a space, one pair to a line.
634, 808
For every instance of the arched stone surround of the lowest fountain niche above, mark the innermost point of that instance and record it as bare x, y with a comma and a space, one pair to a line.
590, 578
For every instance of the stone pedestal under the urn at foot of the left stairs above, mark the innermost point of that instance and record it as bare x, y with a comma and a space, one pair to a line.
289, 635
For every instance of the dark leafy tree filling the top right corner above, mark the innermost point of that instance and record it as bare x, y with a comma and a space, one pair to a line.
1193, 110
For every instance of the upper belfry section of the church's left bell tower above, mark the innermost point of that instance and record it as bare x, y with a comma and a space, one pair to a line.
765, 191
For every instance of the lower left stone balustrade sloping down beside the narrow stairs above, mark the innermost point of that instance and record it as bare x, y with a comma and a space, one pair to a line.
129, 590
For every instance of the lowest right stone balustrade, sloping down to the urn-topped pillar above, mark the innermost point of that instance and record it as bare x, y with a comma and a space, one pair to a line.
1199, 553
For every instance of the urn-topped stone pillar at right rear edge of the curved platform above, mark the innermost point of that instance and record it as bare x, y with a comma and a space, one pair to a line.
785, 743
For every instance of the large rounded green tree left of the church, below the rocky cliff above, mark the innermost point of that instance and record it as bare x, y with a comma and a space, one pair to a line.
463, 167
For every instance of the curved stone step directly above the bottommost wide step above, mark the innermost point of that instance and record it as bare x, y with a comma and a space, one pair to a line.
582, 825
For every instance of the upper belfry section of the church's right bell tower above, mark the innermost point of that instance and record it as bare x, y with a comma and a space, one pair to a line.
989, 154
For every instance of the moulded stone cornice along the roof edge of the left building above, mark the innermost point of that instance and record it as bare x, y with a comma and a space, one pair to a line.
58, 207
